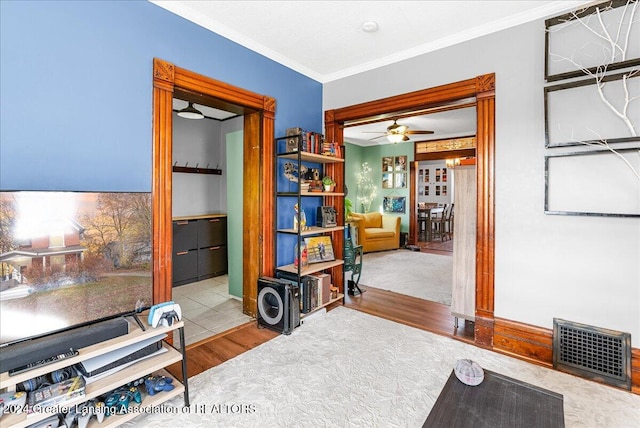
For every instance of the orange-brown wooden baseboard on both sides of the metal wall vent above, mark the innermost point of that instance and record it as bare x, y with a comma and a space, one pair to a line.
535, 344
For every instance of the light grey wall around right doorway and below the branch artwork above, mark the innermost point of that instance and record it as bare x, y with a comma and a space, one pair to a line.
583, 269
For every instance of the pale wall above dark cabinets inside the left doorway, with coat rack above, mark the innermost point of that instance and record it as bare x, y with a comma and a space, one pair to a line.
198, 142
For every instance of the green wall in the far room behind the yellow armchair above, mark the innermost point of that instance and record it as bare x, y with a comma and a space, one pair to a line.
357, 155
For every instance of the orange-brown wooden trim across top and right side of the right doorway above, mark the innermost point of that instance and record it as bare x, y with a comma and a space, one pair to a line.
482, 90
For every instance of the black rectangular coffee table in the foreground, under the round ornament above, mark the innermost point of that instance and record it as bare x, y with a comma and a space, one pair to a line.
498, 402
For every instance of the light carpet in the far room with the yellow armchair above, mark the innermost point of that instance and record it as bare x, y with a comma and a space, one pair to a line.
423, 275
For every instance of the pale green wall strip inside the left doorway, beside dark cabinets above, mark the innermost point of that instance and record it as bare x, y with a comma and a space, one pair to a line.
235, 156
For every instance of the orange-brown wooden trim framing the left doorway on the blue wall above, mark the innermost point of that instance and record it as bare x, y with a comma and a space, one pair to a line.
259, 116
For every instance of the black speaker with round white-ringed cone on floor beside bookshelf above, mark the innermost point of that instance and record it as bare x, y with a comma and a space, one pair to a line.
278, 304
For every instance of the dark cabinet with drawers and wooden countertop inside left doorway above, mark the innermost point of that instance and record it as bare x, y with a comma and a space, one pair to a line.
199, 249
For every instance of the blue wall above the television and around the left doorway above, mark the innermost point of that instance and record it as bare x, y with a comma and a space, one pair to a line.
76, 86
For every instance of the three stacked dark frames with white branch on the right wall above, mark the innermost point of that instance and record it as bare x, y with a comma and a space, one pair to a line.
594, 109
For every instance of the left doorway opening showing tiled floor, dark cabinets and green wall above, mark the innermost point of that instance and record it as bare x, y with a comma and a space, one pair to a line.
207, 248
